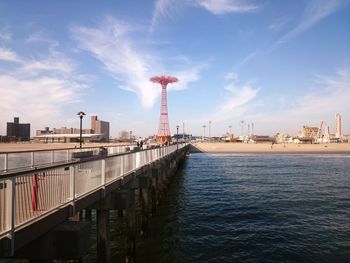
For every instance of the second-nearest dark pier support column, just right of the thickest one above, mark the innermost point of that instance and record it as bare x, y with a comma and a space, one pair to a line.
130, 225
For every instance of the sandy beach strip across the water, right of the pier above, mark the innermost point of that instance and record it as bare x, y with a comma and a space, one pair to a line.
331, 148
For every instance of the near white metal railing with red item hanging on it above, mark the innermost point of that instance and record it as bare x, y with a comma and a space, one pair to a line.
27, 195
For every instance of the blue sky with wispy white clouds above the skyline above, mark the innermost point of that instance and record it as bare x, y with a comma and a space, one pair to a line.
277, 64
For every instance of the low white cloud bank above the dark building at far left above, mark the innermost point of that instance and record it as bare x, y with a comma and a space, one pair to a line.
37, 100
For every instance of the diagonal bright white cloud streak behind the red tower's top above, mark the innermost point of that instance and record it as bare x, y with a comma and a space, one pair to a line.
124, 60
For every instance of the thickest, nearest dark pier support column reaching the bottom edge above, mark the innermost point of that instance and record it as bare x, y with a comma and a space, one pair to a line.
103, 236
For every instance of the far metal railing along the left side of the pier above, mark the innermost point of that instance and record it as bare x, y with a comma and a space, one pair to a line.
30, 159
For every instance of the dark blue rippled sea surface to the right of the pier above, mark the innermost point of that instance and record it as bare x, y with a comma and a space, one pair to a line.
250, 208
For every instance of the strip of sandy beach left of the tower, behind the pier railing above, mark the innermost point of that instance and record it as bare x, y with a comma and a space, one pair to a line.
15, 147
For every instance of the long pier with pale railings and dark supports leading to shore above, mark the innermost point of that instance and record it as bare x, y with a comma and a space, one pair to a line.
41, 208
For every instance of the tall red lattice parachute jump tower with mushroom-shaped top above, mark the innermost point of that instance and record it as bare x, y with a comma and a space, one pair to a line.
163, 135
